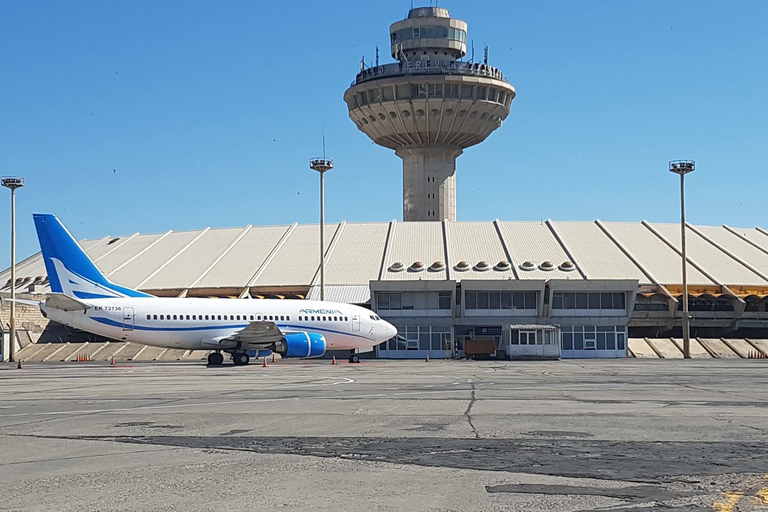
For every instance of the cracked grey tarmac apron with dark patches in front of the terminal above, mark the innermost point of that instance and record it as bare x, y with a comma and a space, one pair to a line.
617, 435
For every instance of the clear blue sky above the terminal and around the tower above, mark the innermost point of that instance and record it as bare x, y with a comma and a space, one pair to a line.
144, 116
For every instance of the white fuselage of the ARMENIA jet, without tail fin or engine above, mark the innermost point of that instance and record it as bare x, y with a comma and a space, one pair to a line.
203, 324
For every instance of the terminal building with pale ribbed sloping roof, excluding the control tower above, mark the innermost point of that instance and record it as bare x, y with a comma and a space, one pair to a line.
521, 284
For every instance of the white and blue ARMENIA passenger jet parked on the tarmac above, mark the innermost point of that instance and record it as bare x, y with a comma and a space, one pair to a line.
82, 297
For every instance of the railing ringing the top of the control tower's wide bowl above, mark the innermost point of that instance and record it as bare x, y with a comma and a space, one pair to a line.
437, 67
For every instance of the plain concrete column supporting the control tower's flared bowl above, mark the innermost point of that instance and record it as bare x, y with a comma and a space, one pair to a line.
429, 182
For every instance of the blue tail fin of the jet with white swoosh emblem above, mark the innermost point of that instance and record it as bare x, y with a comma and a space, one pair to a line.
70, 270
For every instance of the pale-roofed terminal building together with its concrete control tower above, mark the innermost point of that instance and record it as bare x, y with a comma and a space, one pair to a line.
532, 289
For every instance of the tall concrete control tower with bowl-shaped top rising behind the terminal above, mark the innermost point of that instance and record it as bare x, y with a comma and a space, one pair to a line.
429, 107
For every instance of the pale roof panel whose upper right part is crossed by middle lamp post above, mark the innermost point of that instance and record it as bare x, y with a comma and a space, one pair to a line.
297, 261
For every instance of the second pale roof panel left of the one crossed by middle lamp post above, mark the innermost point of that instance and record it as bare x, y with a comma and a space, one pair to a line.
184, 270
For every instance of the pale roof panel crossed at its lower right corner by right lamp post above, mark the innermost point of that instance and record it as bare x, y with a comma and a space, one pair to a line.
661, 261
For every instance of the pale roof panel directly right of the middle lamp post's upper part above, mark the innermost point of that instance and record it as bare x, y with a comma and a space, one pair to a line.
356, 259
